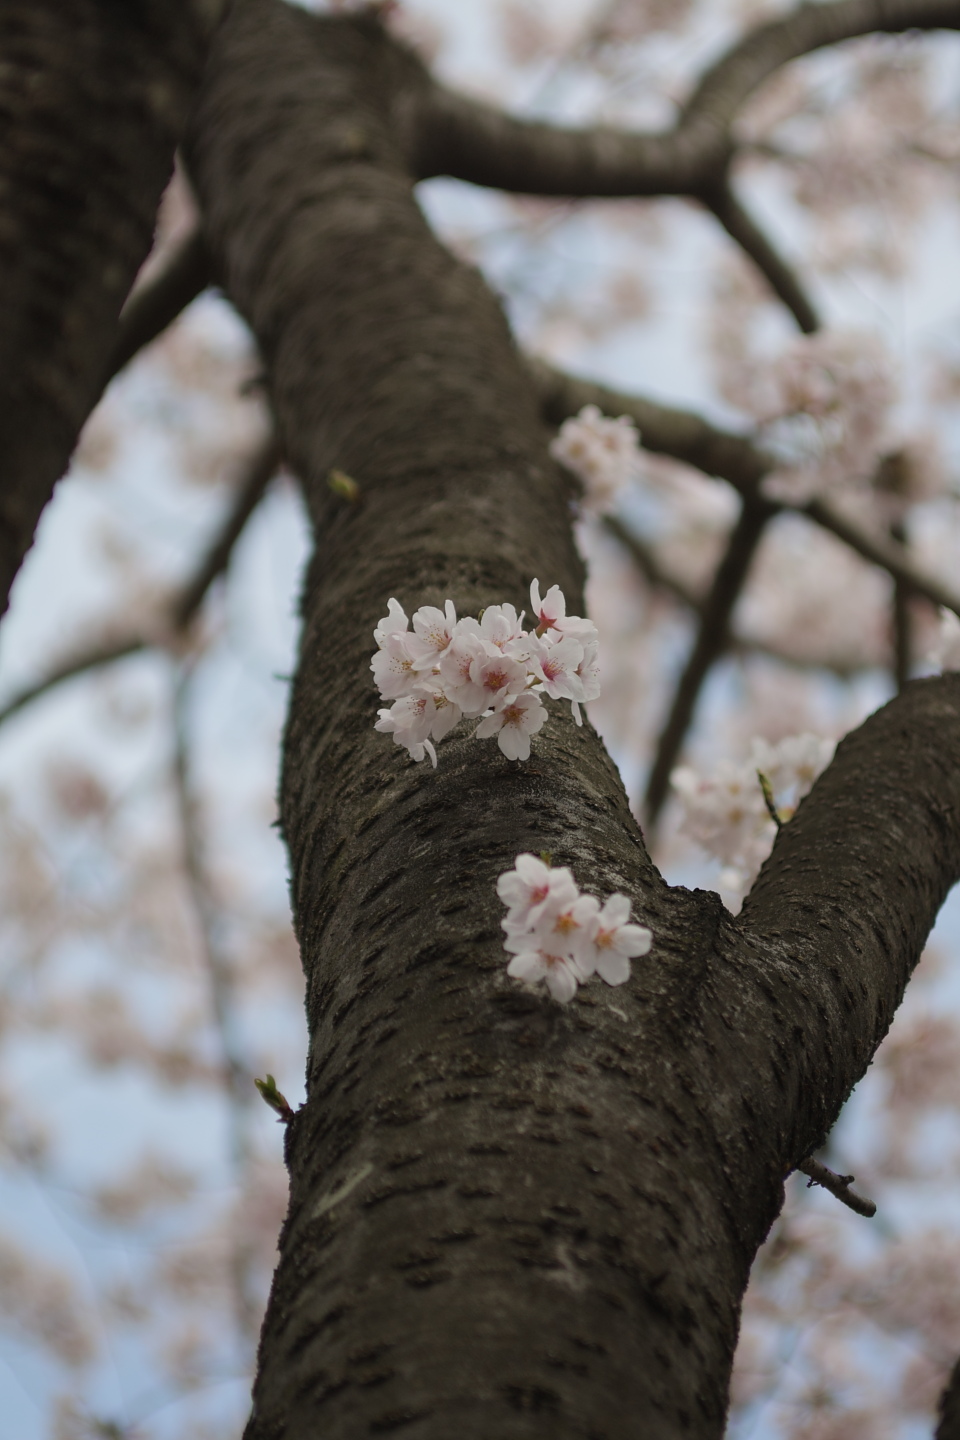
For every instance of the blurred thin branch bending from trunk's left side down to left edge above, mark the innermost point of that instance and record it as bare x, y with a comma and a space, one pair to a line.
261, 467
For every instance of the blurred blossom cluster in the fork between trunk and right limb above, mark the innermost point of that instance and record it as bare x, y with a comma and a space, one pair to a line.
726, 813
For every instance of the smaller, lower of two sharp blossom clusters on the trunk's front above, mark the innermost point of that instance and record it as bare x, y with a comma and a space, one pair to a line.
561, 937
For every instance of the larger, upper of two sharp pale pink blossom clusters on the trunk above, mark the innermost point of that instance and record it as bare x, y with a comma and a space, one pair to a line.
490, 667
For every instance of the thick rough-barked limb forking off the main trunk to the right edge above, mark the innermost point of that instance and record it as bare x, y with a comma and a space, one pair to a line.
843, 908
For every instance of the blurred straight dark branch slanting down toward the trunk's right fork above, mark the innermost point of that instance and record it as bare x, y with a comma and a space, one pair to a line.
713, 637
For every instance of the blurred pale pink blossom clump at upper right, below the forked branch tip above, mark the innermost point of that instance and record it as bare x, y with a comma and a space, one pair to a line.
825, 408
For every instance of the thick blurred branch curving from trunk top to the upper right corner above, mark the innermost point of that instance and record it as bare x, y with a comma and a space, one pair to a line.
476, 142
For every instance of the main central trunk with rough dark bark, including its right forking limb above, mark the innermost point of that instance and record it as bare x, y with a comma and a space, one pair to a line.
509, 1218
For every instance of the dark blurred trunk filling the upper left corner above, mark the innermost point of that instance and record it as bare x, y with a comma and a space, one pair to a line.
94, 97
